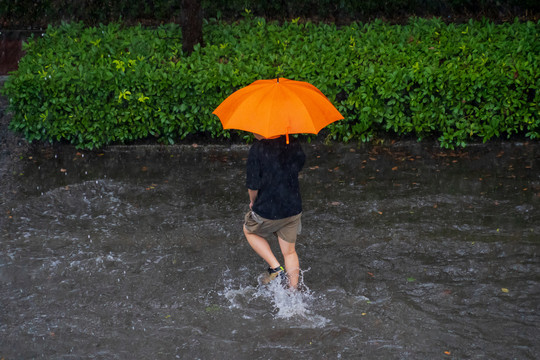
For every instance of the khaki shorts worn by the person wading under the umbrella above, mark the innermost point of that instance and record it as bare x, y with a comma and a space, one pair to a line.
287, 229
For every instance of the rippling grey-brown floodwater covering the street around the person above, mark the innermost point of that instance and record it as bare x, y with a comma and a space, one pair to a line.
407, 251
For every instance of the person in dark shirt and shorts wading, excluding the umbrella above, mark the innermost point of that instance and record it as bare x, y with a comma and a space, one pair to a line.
275, 203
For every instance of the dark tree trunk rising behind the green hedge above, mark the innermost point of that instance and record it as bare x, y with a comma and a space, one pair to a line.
191, 23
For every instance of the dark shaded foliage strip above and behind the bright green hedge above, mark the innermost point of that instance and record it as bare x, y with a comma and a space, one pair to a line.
21, 14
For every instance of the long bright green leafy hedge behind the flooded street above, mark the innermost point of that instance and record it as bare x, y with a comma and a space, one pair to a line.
93, 86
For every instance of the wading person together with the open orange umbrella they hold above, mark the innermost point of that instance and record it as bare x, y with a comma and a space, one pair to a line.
271, 107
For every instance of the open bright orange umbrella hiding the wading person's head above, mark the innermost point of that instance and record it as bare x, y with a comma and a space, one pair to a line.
277, 107
